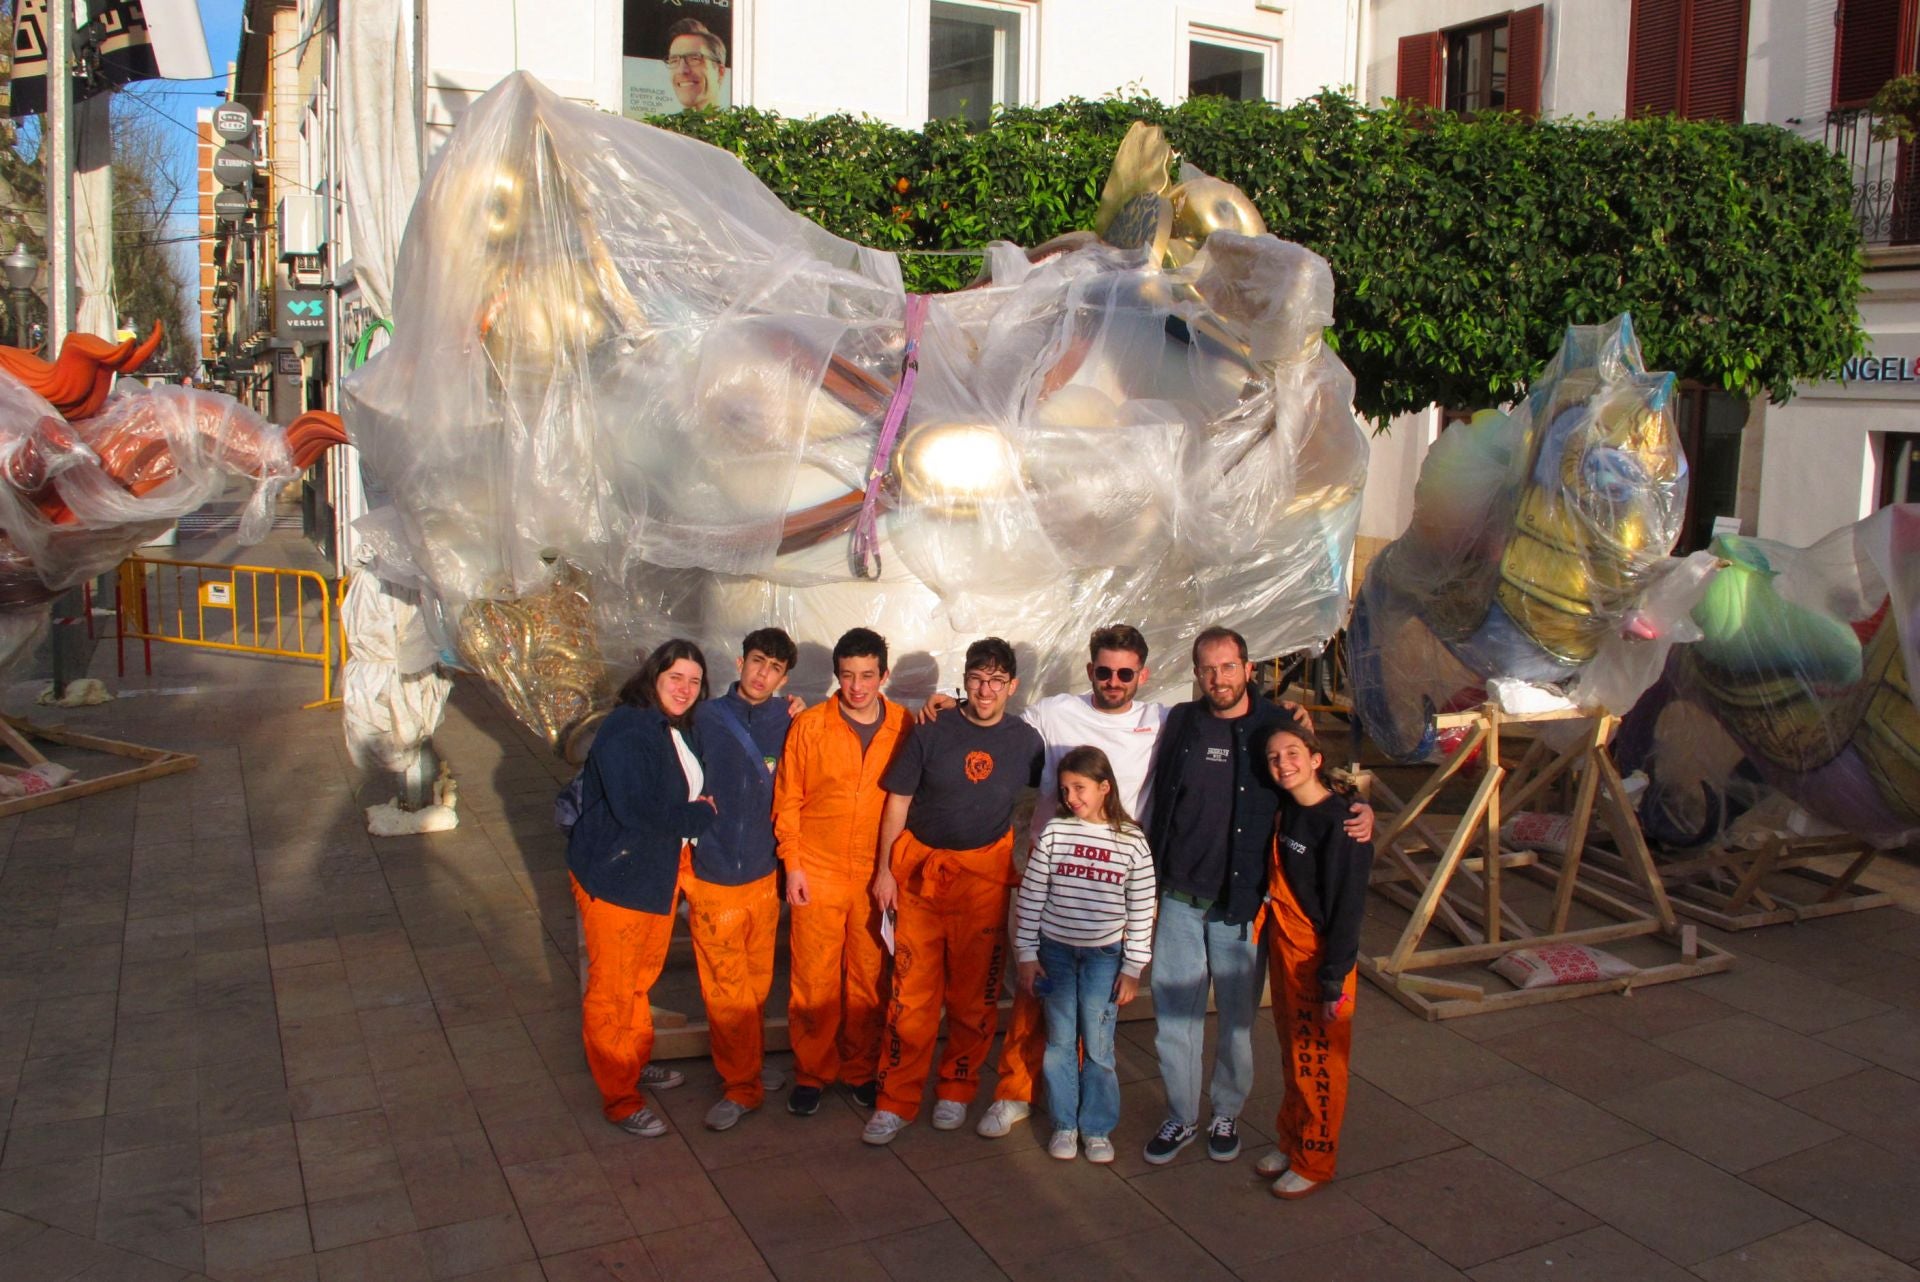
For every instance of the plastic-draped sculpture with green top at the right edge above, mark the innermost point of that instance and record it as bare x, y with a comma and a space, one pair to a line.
1798, 686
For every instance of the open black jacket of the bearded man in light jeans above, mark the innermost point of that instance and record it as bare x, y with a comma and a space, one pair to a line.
1257, 797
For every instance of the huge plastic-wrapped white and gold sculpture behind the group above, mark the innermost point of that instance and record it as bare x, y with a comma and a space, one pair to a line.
635, 396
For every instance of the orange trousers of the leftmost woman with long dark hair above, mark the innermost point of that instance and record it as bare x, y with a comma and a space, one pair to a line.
627, 951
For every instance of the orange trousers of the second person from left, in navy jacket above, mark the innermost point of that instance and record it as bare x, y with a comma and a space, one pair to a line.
734, 934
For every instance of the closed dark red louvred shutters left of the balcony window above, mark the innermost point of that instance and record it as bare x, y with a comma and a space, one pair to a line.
1687, 59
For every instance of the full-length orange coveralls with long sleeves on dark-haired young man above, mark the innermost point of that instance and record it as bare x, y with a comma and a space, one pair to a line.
827, 820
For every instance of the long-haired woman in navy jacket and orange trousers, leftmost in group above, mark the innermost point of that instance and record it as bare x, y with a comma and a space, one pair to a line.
642, 805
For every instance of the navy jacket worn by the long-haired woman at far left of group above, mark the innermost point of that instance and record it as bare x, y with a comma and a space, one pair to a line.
635, 813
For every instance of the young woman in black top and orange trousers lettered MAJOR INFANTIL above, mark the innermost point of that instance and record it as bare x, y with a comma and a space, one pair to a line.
1318, 891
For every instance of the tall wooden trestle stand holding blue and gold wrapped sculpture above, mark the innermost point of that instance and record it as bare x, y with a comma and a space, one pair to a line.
1458, 878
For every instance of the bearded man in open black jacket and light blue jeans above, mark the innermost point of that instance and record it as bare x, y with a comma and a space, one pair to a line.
1212, 807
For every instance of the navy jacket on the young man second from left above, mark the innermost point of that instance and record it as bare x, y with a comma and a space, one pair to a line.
740, 845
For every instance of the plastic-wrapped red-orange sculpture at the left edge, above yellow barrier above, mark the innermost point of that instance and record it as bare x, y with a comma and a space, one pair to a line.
87, 477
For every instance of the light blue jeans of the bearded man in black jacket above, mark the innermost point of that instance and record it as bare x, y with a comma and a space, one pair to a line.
1193, 953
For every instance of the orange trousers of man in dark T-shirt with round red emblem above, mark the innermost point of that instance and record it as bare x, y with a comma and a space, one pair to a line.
949, 947
